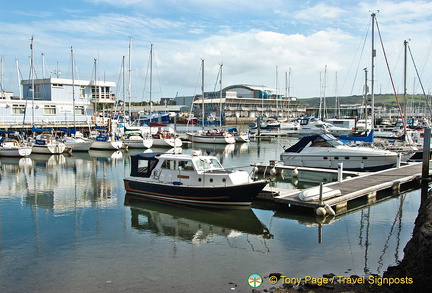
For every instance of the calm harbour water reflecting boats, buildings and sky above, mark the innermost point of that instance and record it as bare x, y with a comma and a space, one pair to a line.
65, 226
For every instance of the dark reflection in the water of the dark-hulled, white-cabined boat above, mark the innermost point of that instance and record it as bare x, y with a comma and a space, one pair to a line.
191, 223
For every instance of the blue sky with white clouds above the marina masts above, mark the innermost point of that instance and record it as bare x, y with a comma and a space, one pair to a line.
324, 44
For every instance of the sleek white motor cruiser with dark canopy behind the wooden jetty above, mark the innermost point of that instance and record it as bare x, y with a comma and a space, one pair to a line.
326, 151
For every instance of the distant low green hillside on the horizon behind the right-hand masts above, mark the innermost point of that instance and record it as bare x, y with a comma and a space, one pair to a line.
380, 100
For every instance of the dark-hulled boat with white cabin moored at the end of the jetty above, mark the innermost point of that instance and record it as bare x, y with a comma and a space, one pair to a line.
190, 179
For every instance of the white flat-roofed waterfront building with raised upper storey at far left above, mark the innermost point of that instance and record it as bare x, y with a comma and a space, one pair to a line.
53, 101
